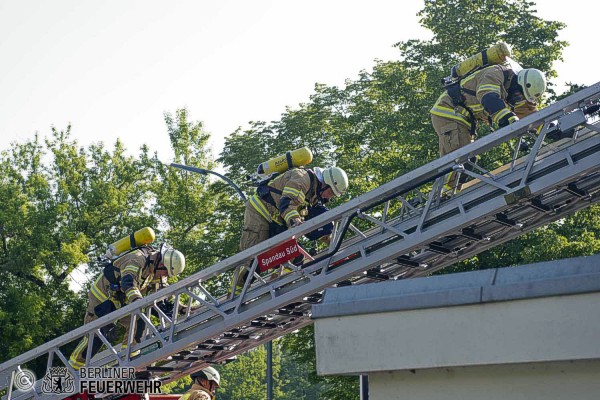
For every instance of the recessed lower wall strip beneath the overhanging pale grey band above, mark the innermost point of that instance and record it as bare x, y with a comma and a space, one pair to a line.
576, 380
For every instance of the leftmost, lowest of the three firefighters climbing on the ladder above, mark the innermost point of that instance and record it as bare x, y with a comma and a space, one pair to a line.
124, 281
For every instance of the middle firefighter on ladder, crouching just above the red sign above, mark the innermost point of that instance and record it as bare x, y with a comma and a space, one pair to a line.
280, 203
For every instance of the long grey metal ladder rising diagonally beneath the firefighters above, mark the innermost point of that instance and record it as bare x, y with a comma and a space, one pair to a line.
408, 227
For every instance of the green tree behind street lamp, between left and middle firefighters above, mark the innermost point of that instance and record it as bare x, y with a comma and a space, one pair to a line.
200, 218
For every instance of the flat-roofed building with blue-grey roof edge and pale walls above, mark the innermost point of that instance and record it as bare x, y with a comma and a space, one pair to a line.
530, 332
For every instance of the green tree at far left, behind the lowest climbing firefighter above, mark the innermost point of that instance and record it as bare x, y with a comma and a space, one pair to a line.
61, 206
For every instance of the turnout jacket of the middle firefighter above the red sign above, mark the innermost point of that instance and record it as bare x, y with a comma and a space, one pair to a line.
287, 194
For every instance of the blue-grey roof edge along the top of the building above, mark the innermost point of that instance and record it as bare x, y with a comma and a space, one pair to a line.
551, 278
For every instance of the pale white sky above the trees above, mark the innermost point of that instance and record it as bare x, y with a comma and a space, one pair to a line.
112, 68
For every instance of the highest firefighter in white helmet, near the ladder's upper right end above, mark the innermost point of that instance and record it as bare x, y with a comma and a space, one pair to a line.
494, 94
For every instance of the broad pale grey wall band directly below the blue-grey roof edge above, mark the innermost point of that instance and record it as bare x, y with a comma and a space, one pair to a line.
543, 329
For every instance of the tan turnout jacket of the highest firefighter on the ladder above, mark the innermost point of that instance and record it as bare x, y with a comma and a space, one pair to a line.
492, 93
